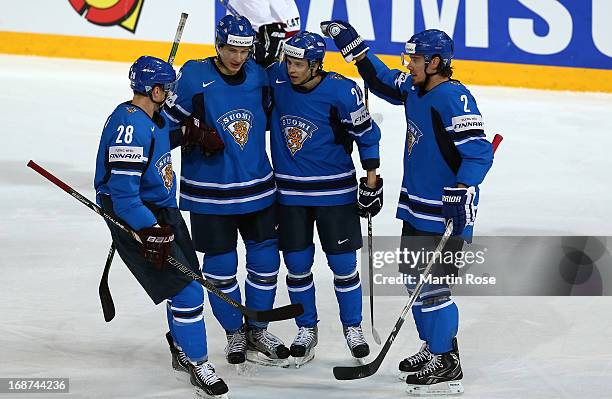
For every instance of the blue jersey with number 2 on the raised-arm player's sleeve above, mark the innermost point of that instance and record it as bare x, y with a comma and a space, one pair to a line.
445, 142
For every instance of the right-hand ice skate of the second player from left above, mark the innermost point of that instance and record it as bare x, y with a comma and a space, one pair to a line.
266, 349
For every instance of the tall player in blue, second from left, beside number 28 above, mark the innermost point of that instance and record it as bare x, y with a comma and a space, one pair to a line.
227, 183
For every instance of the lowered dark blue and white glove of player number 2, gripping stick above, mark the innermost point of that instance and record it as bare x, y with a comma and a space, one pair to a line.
458, 206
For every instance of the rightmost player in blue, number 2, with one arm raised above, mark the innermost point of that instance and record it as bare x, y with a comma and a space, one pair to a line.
445, 159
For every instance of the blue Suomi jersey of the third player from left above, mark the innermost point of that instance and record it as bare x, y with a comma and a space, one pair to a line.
310, 133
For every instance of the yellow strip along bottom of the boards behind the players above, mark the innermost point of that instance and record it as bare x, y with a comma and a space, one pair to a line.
469, 72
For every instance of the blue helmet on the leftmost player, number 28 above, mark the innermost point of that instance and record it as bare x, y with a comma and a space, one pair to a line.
149, 71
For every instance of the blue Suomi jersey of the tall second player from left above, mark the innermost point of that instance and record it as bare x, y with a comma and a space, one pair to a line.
239, 179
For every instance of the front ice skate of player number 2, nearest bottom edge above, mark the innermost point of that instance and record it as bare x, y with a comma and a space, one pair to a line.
441, 376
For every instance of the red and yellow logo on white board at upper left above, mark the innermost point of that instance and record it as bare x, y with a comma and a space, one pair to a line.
124, 13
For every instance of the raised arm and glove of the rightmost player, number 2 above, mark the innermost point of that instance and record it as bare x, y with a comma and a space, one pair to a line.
388, 84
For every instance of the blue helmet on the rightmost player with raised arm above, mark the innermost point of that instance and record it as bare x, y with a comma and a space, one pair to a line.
430, 43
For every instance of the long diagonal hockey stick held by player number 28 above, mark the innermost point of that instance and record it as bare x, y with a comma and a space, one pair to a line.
282, 313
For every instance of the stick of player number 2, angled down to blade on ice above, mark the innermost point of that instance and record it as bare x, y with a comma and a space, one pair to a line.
366, 370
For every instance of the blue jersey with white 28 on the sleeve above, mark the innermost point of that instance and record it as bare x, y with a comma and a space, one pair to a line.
134, 165
